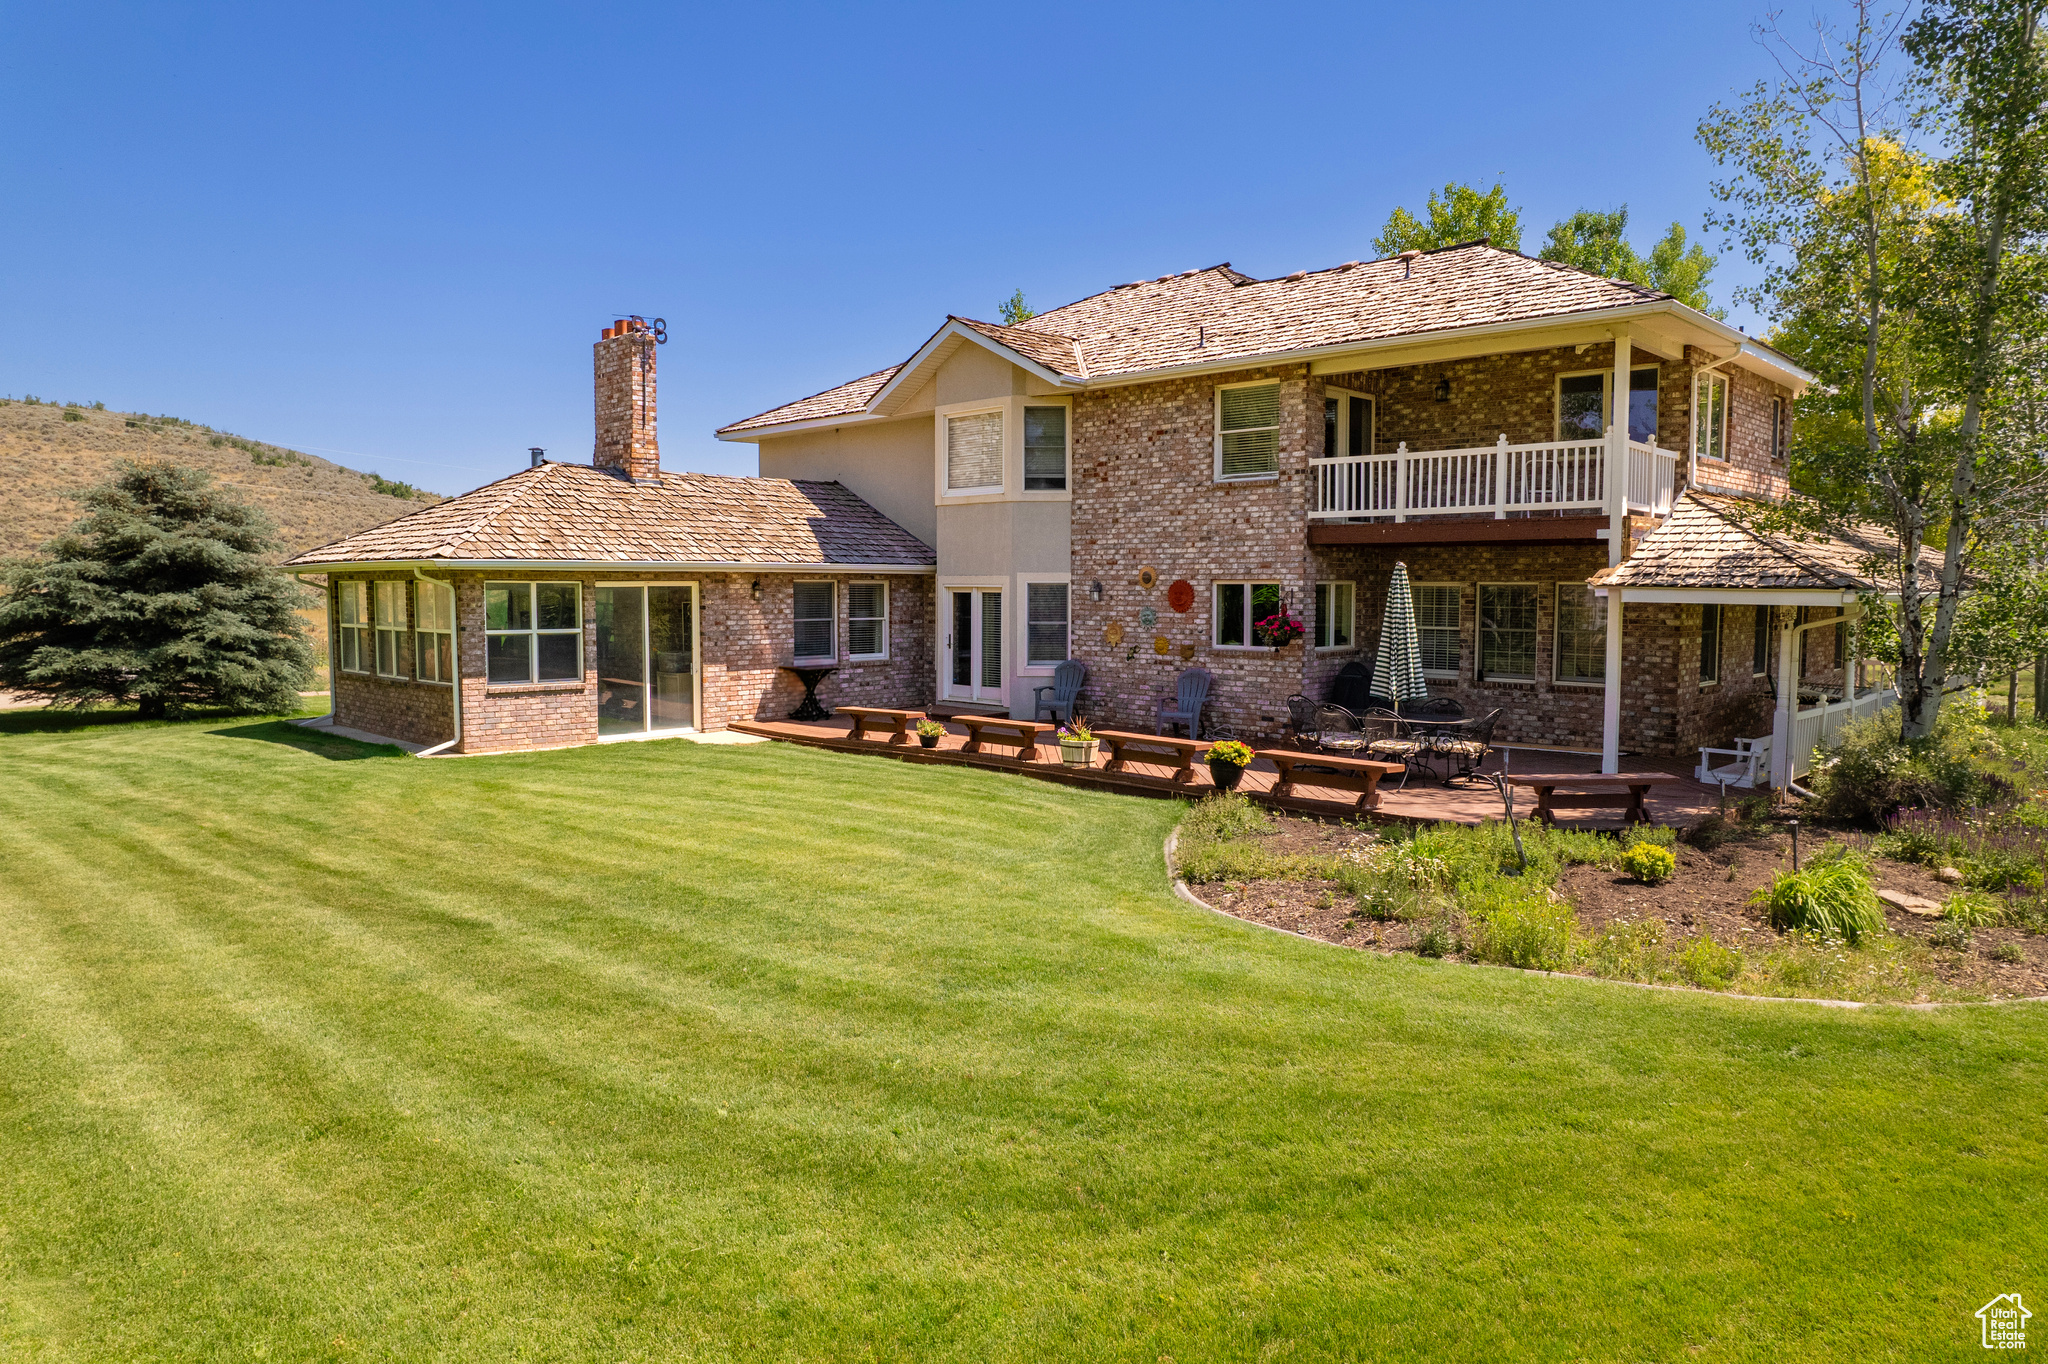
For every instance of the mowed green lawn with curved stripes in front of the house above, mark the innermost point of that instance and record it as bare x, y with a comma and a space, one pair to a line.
660, 1052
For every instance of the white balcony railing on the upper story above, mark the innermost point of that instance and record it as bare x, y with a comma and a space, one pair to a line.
1555, 476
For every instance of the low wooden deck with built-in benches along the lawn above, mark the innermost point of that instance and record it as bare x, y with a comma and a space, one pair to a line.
1424, 798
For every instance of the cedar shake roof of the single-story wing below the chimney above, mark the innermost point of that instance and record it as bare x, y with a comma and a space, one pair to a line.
583, 515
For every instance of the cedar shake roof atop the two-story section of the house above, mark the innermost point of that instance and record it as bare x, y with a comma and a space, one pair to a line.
1222, 314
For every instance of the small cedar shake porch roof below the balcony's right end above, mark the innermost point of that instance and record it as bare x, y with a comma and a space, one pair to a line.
1705, 544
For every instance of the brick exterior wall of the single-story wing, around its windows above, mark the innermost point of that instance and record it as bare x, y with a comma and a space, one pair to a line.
740, 648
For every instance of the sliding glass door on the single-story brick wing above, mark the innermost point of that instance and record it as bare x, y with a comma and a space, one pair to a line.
646, 658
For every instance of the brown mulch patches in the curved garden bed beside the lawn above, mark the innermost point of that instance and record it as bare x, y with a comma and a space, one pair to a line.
1707, 894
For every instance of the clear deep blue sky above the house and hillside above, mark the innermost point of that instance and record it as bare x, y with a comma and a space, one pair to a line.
388, 235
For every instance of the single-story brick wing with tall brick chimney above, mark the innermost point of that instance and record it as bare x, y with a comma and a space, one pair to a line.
613, 601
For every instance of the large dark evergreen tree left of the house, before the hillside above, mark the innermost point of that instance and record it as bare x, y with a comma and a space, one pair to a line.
161, 597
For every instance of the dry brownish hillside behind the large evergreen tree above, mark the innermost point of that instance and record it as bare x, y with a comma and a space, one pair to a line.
50, 450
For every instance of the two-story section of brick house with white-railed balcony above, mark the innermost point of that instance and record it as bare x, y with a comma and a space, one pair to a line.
1138, 478
